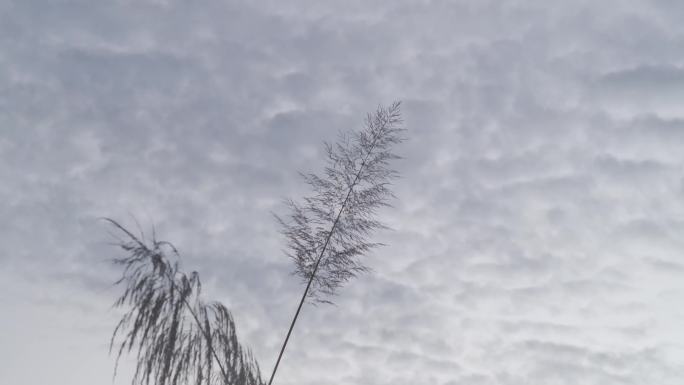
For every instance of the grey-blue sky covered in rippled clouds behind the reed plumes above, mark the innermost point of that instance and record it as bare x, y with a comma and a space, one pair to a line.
538, 231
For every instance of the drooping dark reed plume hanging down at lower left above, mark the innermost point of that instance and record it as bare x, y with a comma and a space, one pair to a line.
179, 338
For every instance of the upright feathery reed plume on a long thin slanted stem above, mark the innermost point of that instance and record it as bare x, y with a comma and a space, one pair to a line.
328, 232
